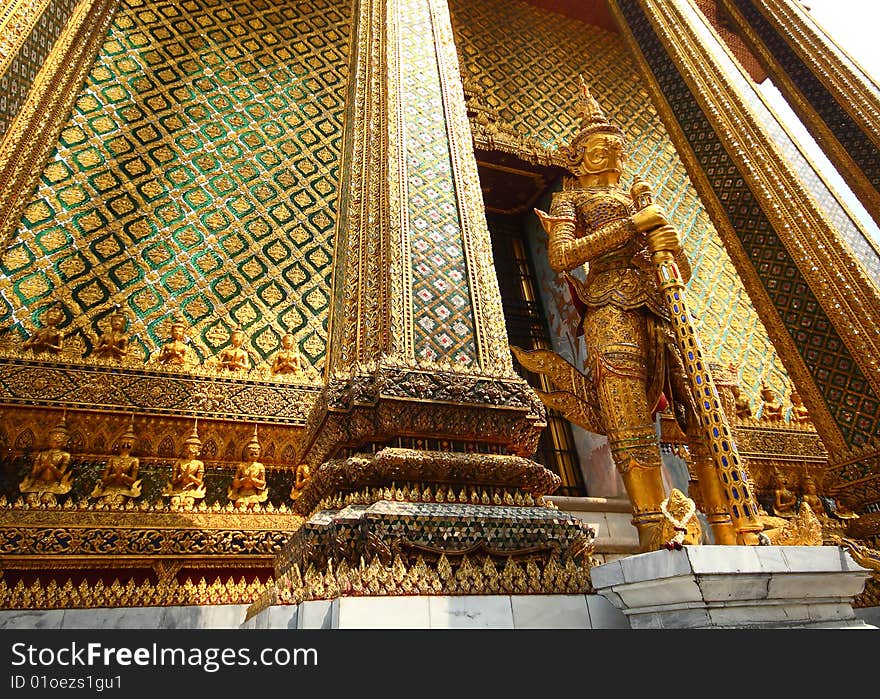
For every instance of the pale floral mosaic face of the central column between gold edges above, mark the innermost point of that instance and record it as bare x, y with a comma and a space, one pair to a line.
442, 315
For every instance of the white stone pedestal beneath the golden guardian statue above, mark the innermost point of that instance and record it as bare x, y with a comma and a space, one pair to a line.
735, 587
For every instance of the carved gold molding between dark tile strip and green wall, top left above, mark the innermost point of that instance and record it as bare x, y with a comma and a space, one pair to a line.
34, 131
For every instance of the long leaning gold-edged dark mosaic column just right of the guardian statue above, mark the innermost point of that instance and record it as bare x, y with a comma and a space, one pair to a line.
819, 308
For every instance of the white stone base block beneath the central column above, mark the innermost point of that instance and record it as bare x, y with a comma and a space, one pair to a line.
446, 612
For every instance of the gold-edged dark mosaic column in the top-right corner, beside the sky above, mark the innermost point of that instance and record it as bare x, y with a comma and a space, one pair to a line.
834, 99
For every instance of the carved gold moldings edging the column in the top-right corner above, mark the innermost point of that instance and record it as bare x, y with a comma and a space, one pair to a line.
848, 88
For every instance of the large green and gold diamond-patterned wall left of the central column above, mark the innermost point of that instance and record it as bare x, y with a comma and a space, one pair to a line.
199, 172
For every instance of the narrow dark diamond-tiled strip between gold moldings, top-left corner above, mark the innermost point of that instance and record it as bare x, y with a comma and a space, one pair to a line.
16, 81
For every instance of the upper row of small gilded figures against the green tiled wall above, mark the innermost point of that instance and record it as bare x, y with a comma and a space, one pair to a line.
113, 345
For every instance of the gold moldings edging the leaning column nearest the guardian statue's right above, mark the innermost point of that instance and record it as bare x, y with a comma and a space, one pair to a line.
831, 273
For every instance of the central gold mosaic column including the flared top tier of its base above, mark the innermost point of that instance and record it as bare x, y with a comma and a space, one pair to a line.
418, 346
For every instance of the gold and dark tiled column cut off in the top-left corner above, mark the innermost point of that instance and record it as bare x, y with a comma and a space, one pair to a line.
46, 50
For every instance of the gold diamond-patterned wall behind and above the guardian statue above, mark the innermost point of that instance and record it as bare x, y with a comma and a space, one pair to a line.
527, 61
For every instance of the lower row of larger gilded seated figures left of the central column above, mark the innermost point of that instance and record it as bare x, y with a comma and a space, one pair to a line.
51, 475
